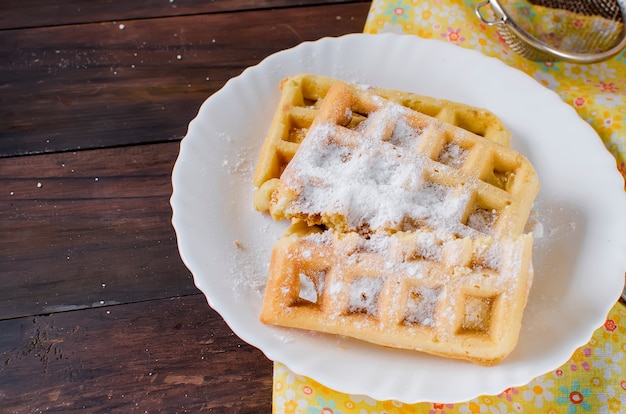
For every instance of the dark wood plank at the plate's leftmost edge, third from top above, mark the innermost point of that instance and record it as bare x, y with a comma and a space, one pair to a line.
86, 229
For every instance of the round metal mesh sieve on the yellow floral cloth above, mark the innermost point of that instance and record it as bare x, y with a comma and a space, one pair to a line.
579, 31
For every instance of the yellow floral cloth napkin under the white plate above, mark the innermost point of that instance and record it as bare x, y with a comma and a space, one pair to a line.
594, 379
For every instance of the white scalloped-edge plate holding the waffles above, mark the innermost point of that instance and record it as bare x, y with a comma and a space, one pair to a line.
579, 253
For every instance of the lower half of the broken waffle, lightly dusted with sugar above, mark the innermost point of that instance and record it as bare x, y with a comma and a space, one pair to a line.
453, 297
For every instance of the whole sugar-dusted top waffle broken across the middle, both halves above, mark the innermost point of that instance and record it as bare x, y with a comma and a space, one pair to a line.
407, 231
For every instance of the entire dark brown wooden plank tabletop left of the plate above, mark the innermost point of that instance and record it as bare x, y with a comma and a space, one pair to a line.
97, 312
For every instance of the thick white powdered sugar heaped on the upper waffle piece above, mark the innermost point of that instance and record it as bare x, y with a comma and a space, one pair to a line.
373, 177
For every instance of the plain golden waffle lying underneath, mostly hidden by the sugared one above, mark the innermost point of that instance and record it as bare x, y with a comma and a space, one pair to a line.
301, 97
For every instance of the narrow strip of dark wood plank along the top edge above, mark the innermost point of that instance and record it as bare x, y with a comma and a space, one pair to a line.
35, 13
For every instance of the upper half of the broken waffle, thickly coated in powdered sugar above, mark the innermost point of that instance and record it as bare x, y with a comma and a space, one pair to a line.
401, 170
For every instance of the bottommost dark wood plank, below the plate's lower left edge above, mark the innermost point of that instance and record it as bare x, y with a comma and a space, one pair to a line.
170, 355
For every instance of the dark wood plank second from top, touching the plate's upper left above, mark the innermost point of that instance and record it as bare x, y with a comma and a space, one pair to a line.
99, 85
